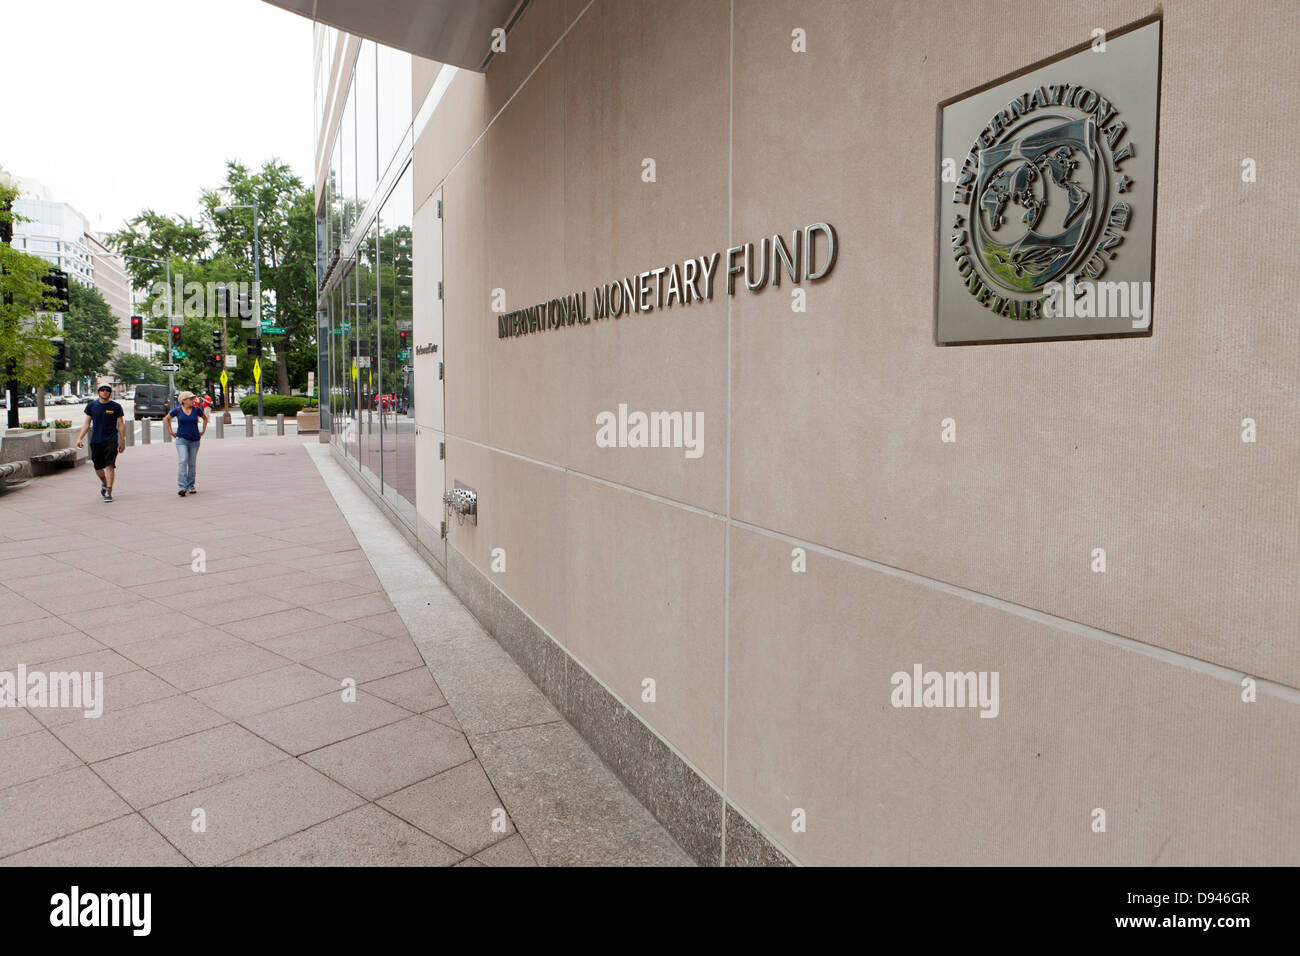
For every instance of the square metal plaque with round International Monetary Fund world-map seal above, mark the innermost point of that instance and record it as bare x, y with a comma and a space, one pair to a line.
1047, 200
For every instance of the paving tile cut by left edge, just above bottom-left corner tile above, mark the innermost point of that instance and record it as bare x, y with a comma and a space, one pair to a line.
40, 811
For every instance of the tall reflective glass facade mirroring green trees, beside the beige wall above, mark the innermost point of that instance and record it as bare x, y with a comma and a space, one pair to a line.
366, 304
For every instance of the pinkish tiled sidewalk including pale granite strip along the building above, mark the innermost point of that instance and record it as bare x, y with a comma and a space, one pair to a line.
232, 730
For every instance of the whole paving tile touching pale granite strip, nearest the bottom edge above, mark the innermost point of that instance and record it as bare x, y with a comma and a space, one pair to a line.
457, 807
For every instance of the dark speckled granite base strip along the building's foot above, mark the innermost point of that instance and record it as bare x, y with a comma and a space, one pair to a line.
687, 806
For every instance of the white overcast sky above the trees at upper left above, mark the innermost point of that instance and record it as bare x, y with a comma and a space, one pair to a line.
118, 106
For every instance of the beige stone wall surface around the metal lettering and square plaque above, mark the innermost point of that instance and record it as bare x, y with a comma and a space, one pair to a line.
822, 430
